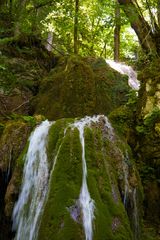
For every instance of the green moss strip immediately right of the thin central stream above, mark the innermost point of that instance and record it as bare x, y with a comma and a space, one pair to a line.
101, 179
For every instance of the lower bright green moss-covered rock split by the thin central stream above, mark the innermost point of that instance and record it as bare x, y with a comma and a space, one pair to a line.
62, 216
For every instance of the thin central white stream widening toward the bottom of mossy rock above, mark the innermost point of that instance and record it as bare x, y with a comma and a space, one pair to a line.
86, 202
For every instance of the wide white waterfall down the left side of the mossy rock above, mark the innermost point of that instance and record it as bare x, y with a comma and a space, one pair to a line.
28, 208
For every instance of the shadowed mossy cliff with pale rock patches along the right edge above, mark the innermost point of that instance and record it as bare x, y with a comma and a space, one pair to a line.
148, 139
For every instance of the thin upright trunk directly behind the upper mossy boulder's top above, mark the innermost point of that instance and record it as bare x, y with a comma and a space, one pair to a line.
76, 27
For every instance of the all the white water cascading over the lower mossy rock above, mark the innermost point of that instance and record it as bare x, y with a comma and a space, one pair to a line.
28, 209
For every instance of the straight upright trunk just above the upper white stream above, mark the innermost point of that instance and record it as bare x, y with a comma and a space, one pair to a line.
117, 33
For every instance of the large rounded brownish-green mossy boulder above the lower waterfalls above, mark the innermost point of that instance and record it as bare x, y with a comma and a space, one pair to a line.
78, 87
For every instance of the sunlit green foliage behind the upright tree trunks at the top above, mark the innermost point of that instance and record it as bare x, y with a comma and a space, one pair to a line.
96, 21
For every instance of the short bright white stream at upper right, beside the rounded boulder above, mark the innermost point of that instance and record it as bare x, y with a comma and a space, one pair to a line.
124, 69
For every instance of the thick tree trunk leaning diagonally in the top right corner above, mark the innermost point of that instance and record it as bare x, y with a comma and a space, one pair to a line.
140, 26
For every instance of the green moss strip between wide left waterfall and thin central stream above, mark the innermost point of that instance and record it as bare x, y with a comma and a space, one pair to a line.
64, 190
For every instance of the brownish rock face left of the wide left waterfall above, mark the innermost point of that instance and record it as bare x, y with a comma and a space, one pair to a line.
12, 143
